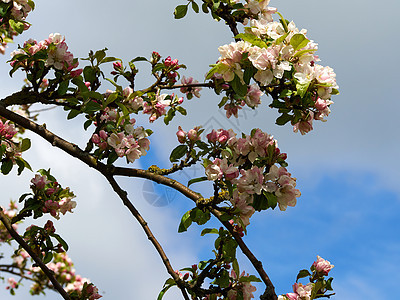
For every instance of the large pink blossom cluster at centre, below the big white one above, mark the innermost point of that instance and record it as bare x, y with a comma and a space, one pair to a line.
248, 166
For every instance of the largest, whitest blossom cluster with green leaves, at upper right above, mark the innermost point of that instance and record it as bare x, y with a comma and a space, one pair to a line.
279, 55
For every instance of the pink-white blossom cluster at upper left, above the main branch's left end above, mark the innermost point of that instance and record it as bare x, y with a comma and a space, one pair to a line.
53, 52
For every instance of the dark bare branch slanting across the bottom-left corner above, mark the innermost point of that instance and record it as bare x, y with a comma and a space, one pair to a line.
4, 219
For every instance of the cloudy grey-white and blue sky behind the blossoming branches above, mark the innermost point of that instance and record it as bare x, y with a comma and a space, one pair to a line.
347, 168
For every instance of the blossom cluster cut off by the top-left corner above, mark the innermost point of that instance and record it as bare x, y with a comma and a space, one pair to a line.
13, 20
